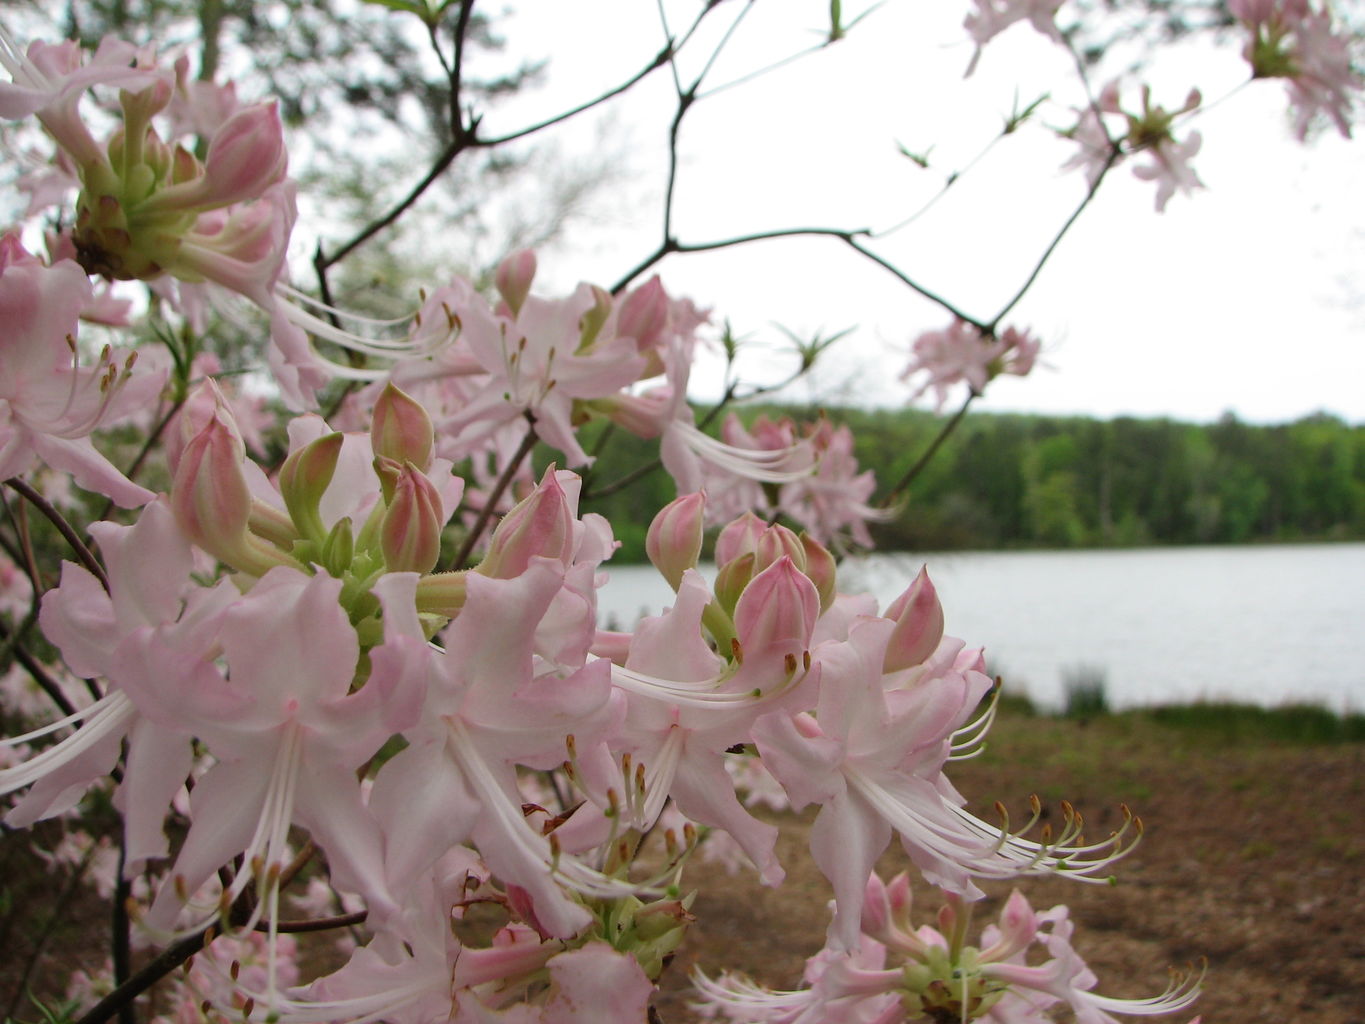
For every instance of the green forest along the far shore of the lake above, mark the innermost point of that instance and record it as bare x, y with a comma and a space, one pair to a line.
1027, 481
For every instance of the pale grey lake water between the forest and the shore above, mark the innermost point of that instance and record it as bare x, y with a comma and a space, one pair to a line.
1263, 625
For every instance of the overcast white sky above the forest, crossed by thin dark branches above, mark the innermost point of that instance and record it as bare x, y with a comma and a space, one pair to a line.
1246, 297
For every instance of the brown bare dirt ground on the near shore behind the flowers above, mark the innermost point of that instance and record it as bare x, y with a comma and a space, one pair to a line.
1254, 859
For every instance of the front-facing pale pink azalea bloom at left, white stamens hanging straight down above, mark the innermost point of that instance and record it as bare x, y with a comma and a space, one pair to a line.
287, 734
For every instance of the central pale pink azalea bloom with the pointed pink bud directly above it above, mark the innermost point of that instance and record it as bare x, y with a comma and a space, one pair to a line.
510, 683
